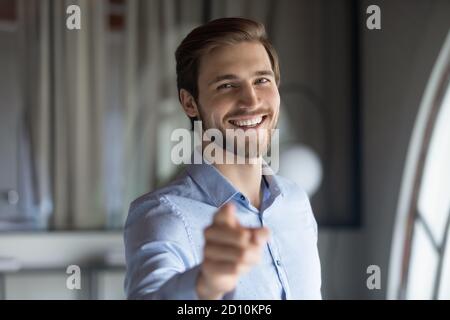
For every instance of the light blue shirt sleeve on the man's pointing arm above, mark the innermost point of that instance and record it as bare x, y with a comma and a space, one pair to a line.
160, 256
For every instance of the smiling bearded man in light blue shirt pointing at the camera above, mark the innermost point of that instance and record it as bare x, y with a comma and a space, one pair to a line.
225, 230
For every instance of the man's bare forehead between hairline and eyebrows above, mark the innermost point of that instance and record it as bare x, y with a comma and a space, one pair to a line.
239, 59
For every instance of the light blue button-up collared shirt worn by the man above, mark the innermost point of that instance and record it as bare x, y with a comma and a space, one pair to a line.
164, 238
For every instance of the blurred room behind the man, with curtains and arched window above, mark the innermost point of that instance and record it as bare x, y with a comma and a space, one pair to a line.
86, 117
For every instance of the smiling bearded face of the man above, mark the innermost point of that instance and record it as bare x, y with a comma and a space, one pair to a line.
237, 90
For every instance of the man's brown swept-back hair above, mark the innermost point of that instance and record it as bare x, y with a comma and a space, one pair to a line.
216, 33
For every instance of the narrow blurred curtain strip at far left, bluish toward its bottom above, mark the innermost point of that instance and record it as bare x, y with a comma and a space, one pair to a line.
34, 155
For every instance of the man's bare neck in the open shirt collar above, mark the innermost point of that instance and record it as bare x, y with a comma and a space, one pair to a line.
246, 178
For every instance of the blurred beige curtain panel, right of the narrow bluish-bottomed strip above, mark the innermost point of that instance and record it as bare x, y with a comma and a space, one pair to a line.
78, 93
